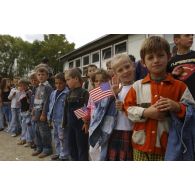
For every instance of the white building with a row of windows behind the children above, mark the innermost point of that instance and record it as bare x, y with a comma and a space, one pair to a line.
101, 50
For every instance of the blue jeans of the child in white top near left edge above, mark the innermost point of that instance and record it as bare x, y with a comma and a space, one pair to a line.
15, 125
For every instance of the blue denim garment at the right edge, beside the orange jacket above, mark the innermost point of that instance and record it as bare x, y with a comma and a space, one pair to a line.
181, 141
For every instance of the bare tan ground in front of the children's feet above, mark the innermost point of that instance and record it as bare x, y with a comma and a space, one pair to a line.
10, 151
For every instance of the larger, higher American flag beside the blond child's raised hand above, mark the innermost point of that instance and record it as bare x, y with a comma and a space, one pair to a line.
101, 92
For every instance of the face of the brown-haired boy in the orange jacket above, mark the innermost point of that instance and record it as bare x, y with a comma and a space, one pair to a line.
156, 63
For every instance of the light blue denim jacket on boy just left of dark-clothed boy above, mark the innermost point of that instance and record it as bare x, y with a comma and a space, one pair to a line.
56, 106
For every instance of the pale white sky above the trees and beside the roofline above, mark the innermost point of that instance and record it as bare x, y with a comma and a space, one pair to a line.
77, 38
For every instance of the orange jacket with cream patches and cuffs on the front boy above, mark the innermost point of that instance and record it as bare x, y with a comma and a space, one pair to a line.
151, 135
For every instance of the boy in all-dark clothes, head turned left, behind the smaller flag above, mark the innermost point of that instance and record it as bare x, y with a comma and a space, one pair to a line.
77, 98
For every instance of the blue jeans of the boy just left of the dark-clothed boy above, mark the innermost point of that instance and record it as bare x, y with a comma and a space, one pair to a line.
61, 140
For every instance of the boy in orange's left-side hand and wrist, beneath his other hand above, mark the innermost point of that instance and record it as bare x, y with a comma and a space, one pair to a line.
153, 113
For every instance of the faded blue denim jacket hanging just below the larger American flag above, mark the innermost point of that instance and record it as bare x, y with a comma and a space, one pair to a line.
103, 121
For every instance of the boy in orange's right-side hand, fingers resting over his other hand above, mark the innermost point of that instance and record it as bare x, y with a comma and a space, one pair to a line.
166, 104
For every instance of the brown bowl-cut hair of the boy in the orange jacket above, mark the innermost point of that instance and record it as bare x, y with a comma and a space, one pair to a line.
153, 45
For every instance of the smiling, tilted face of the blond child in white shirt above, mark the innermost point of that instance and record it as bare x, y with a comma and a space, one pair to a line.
125, 72
